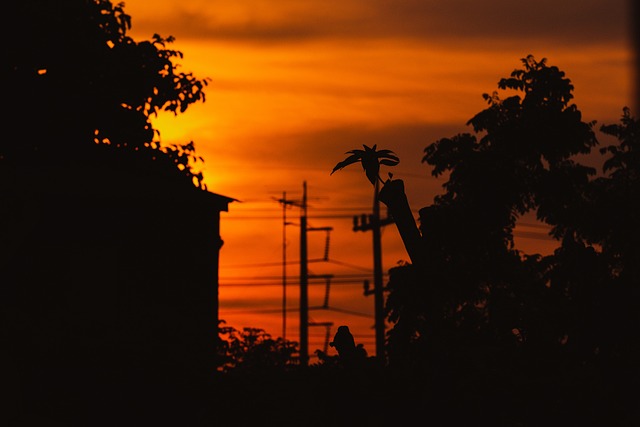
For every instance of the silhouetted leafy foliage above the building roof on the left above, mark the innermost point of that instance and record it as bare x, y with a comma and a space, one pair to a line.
79, 80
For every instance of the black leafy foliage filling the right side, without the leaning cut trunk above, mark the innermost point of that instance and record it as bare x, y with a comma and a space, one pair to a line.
475, 299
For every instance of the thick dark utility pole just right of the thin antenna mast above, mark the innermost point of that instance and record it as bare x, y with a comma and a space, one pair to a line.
304, 282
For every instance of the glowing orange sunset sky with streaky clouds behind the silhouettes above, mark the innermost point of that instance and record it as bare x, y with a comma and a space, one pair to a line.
297, 83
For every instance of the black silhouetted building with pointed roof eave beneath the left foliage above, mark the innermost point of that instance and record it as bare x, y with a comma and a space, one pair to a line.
109, 279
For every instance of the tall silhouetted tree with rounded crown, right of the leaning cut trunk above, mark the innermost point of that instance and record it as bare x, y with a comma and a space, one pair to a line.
472, 287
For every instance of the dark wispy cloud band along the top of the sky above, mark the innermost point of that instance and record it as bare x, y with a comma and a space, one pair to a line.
288, 21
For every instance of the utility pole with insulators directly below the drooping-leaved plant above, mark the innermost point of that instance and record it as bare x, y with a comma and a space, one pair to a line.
375, 223
